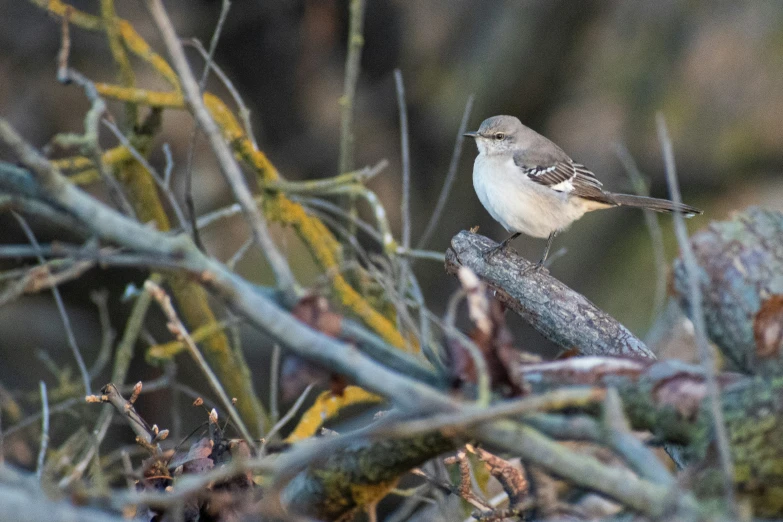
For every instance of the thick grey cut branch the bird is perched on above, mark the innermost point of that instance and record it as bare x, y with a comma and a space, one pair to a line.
556, 311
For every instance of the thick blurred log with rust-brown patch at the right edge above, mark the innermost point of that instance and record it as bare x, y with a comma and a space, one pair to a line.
741, 262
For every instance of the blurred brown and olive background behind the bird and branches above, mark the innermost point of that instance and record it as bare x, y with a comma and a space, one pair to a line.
589, 75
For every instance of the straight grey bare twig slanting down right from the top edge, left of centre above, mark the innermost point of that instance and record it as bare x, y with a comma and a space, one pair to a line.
228, 165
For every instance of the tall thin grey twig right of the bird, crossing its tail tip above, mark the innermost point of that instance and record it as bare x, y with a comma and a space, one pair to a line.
697, 316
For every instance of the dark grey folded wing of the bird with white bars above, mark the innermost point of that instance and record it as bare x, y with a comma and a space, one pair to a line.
567, 177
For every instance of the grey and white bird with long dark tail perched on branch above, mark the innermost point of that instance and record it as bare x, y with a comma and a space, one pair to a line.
530, 186
